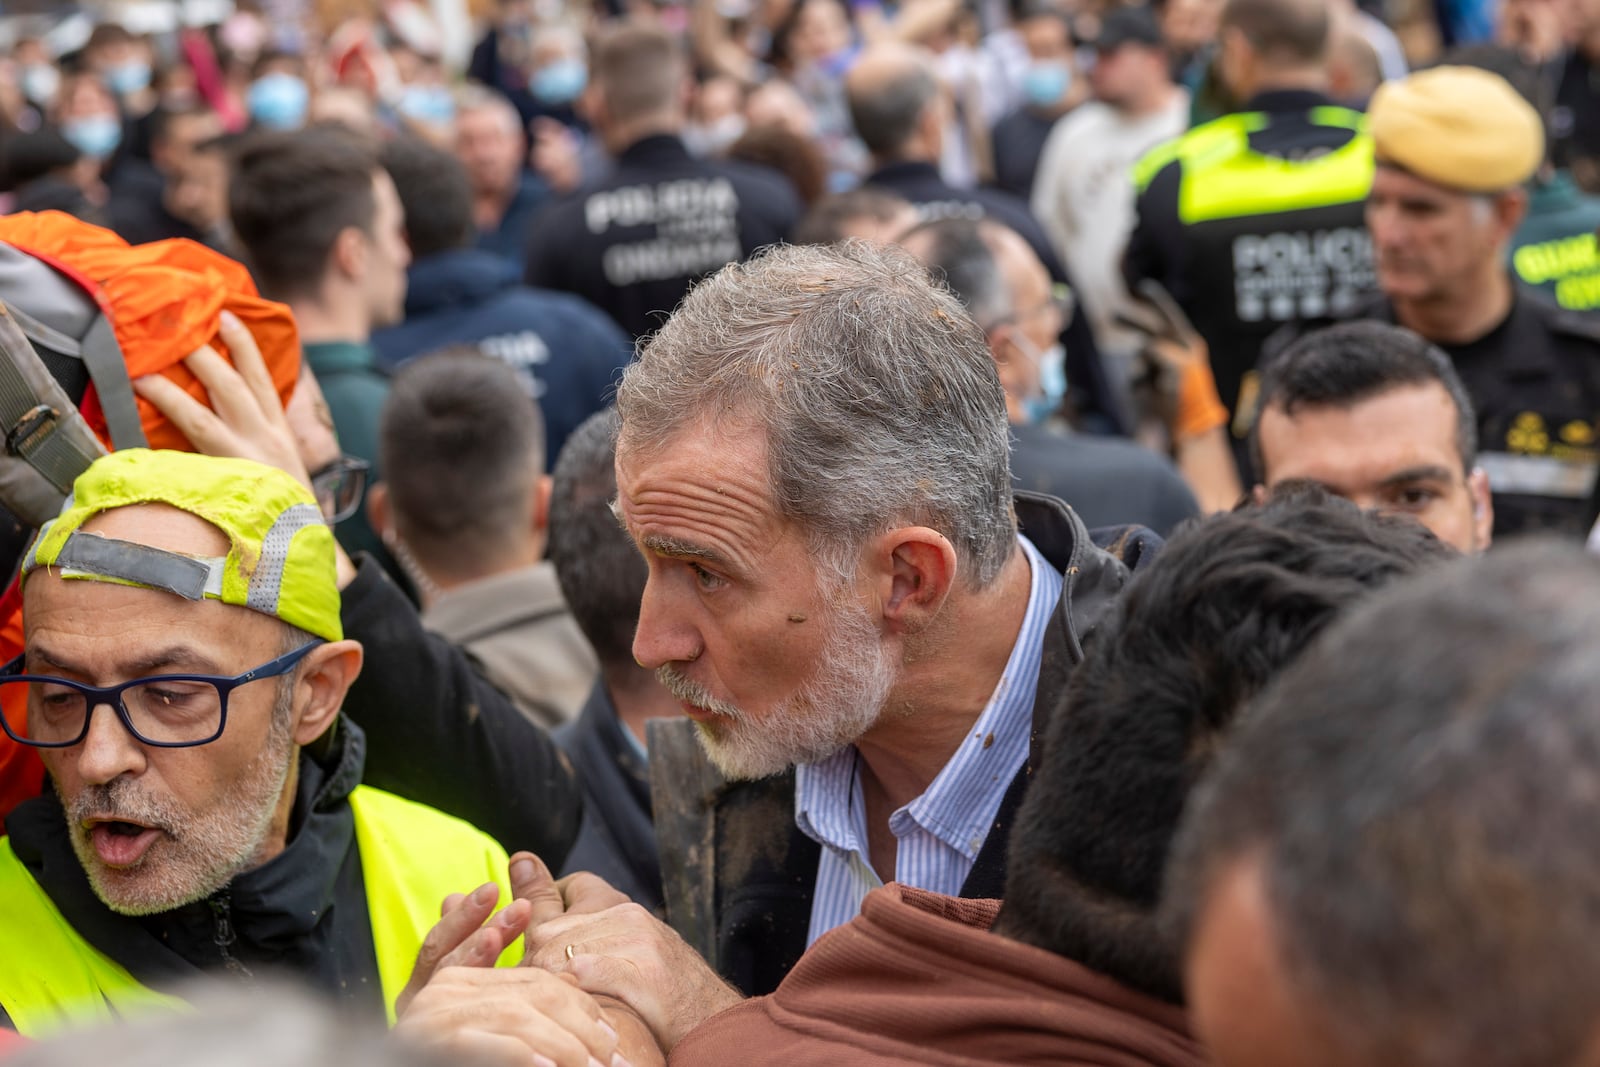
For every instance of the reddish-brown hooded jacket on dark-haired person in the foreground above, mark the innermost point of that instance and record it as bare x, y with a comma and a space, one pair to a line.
918, 978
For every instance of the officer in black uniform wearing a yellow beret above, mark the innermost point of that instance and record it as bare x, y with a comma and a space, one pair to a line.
1455, 150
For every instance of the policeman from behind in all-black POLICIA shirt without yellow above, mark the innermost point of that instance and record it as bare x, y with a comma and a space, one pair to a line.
636, 241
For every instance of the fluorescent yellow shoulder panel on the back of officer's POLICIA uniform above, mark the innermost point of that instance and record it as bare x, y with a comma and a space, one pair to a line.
1225, 178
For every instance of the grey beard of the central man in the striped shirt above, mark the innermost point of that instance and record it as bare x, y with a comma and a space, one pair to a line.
836, 708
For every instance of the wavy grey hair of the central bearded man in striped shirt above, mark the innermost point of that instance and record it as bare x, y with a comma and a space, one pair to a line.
874, 386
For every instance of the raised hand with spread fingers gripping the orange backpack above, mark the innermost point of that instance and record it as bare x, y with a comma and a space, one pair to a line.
246, 418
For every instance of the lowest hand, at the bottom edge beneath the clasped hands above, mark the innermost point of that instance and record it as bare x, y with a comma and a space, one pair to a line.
514, 1017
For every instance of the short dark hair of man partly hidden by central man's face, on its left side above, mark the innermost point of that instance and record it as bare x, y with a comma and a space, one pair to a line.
601, 572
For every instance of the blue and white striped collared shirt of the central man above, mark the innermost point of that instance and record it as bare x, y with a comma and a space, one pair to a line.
940, 833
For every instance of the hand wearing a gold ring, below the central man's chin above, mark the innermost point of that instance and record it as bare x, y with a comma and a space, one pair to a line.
622, 951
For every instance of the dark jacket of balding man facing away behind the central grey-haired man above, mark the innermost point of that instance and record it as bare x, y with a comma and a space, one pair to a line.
937, 199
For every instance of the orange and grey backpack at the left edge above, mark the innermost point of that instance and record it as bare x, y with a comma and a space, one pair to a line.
100, 313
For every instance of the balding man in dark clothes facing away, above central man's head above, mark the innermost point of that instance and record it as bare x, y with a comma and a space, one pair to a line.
900, 114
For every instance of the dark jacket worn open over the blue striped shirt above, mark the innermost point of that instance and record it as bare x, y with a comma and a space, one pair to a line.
766, 868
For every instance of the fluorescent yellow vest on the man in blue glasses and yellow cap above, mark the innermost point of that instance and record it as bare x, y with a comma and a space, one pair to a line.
412, 860
